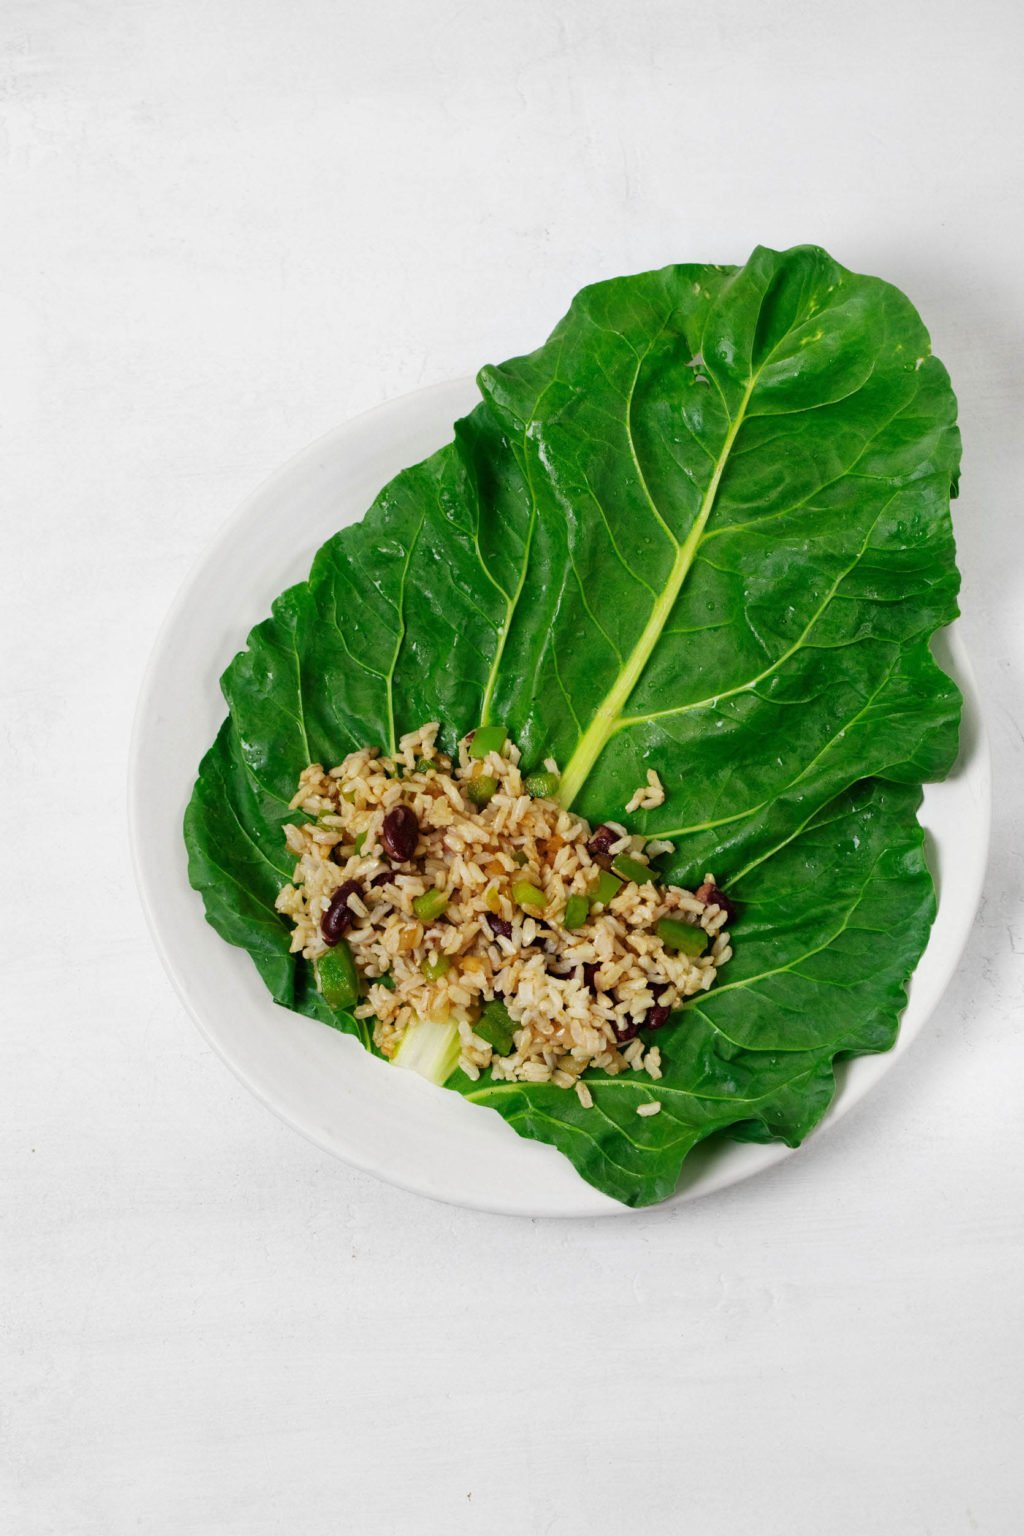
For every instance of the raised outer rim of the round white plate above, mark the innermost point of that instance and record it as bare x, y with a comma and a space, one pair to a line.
733, 1162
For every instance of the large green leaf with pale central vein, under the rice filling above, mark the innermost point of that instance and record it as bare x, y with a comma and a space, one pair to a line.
704, 529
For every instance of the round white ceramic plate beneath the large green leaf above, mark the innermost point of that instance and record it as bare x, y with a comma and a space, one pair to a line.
386, 1122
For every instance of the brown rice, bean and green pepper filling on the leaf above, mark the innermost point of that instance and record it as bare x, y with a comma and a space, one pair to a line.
461, 892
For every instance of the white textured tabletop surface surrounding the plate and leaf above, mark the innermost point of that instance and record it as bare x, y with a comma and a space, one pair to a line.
225, 228
